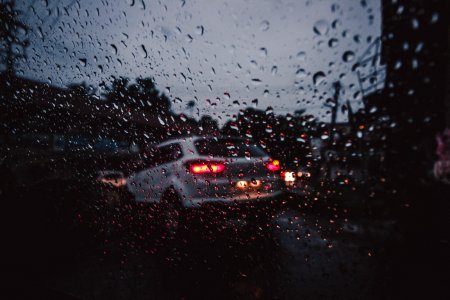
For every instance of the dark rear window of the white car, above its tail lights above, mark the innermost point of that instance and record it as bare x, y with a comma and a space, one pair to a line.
228, 148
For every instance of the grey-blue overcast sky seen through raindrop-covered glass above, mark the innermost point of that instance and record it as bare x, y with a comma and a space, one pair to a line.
222, 54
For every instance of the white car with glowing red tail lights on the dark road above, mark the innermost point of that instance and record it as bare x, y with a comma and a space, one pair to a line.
194, 172
